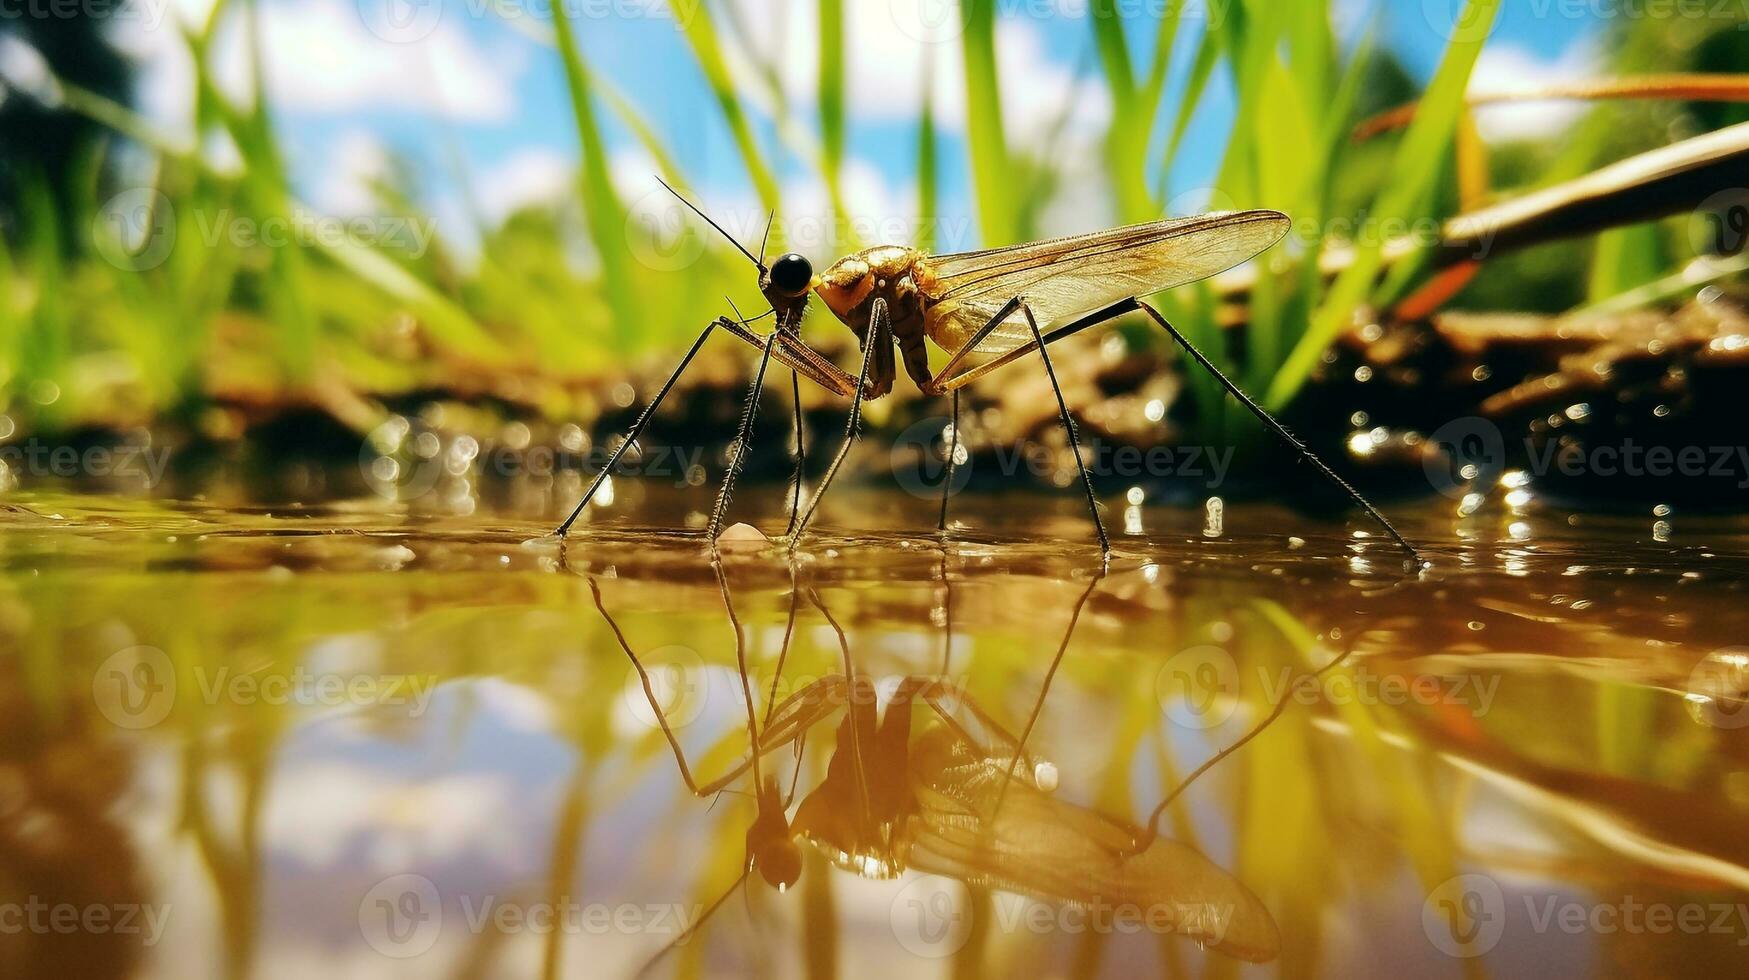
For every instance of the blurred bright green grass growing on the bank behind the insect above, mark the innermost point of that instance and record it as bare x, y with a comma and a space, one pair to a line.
87, 340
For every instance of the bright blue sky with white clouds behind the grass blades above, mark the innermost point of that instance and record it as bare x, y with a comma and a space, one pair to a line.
459, 88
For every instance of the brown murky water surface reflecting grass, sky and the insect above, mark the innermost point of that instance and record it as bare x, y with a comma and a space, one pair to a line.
344, 741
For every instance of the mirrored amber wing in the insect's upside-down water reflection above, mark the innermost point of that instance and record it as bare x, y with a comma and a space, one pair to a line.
1045, 848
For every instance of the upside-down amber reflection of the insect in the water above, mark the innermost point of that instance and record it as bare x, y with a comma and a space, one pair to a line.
951, 792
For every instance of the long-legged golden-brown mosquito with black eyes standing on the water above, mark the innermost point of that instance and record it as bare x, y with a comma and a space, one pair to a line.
1000, 304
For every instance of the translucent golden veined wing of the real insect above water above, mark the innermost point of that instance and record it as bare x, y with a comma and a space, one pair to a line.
1068, 277
